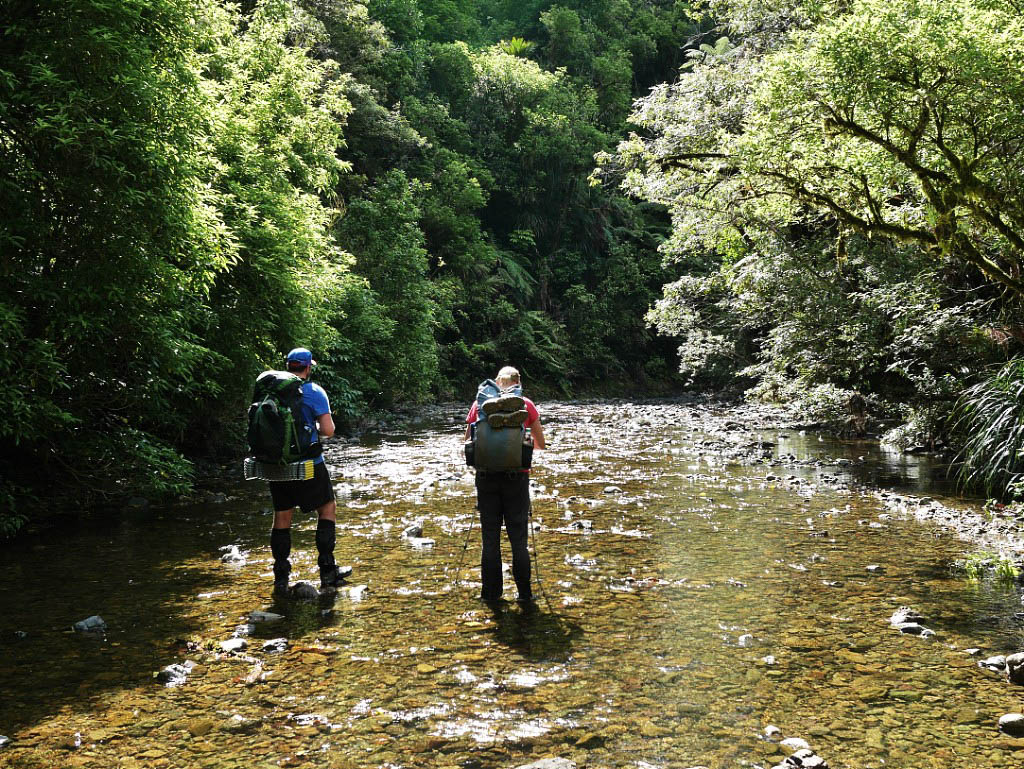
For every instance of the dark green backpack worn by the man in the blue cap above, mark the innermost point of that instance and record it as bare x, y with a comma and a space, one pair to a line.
277, 432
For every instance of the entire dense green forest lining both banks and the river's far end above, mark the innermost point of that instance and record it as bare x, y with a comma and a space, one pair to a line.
421, 191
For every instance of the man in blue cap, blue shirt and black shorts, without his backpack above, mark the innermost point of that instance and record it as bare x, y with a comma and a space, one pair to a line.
315, 494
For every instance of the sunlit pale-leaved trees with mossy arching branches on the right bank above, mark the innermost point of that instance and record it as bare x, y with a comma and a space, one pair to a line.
845, 183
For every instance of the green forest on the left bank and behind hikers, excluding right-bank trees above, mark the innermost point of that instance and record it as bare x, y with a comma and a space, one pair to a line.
191, 188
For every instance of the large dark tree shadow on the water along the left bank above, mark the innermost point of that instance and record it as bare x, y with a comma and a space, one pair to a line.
127, 570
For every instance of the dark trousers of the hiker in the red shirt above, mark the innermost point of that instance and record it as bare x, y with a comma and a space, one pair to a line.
504, 498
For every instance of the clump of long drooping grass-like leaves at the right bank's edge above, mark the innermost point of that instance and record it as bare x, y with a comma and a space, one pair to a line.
991, 415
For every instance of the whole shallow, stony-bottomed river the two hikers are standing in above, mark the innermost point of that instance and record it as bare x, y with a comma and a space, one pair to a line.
687, 604
